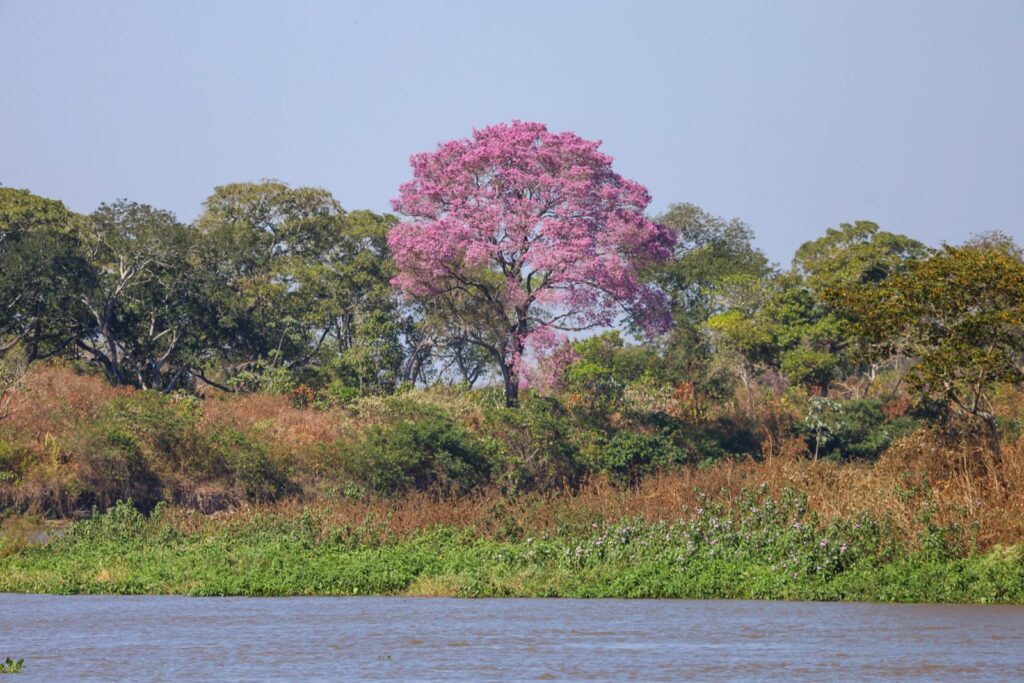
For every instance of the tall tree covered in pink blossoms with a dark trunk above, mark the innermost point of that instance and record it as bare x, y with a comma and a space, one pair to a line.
518, 236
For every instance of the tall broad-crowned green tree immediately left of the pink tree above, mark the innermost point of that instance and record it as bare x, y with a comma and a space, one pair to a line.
302, 286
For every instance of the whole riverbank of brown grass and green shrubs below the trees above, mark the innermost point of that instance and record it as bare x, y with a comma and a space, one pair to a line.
442, 492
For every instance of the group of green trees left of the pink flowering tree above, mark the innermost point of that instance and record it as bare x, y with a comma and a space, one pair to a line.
271, 283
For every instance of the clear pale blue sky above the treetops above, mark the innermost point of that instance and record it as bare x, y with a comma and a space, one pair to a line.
793, 116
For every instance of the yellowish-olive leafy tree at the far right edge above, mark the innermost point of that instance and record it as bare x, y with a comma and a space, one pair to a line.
960, 316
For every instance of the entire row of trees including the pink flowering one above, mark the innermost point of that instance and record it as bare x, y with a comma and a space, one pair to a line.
520, 259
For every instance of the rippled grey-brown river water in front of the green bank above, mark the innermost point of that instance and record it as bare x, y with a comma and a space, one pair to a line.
93, 638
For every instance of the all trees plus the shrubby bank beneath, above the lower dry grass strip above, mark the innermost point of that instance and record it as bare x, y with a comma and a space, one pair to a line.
424, 353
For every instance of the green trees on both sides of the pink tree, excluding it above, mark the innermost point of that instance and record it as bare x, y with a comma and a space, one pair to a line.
280, 291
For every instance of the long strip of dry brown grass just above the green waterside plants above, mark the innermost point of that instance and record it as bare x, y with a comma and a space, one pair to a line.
892, 489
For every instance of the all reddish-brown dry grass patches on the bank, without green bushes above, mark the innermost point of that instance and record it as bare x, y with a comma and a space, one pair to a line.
963, 485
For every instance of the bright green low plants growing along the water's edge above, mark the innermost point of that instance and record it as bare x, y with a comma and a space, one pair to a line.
762, 547
